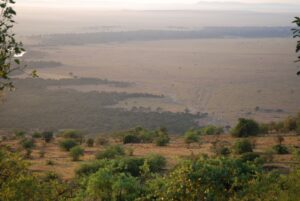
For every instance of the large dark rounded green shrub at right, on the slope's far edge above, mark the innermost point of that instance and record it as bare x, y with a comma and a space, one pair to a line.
245, 128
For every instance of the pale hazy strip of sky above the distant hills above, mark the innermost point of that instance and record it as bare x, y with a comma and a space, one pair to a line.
250, 5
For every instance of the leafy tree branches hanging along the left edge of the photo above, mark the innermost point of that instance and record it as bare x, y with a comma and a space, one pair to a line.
10, 48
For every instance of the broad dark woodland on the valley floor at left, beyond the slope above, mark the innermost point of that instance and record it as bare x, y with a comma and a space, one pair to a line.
37, 107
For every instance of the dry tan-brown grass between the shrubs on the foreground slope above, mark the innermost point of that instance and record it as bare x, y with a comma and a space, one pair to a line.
177, 149
